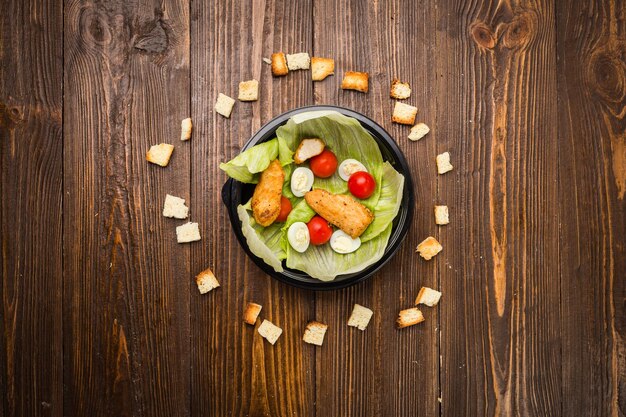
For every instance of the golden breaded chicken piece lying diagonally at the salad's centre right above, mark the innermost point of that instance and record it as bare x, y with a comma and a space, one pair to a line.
341, 210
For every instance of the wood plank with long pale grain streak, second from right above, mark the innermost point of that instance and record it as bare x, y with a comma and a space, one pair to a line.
499, 275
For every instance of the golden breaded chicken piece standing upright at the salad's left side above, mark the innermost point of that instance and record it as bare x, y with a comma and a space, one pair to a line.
266, 197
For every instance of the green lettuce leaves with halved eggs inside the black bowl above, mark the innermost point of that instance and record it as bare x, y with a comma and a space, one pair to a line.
347, 140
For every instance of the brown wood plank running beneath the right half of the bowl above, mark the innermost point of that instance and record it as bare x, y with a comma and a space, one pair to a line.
383, 371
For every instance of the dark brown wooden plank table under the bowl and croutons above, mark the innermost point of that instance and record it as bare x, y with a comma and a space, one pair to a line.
100, 314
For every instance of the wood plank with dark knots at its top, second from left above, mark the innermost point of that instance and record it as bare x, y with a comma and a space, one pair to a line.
126, 288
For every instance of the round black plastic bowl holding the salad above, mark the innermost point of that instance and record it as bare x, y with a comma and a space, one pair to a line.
235, 193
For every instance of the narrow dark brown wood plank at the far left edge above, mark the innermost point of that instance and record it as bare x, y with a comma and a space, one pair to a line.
31, 181
